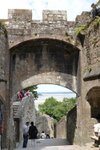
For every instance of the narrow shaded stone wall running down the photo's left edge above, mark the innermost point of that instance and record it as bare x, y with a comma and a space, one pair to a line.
4, 83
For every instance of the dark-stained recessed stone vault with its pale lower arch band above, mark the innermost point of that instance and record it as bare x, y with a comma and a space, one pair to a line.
45, 60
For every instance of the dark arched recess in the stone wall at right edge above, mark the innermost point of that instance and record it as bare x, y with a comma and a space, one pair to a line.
93, 97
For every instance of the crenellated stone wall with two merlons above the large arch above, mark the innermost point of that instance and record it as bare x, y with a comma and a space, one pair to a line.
53, 23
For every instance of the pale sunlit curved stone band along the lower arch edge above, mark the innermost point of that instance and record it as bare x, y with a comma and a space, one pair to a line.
55, 78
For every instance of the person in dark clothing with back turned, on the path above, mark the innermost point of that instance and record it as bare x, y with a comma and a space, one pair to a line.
33, 132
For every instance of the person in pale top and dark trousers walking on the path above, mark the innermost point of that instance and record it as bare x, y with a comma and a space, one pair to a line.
25, 134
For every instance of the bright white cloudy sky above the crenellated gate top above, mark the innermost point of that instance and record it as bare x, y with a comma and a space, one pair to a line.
73, 7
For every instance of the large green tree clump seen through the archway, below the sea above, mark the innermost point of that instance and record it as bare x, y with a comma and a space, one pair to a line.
55, 108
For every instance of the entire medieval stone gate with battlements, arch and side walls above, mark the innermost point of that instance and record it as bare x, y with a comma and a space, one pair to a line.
35, 52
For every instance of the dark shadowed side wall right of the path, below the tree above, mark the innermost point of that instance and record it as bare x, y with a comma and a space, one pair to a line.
71, 125
